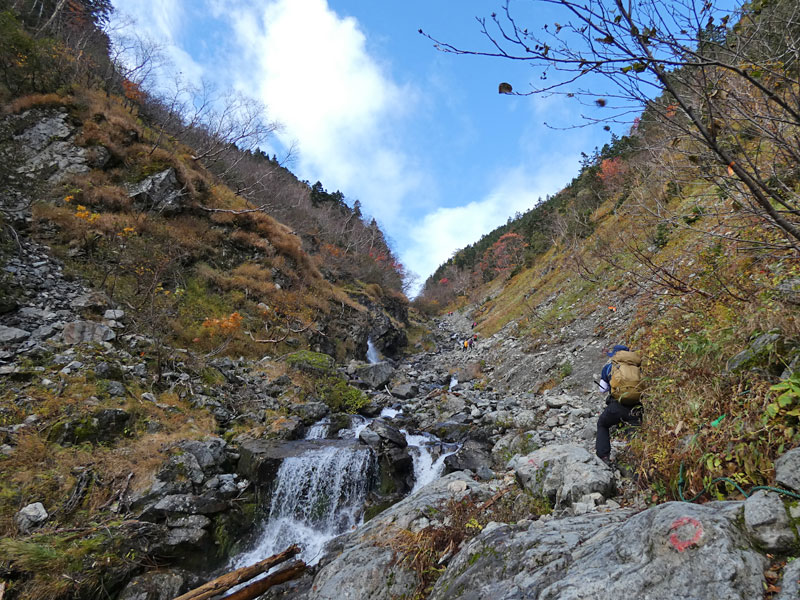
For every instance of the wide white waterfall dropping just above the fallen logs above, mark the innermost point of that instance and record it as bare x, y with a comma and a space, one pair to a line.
318, 495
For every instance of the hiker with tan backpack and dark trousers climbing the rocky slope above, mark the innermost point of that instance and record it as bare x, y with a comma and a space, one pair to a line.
622, 378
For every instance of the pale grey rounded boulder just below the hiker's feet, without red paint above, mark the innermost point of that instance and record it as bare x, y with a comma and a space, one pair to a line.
563, 473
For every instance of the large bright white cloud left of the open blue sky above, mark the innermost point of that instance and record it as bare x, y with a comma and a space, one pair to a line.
313, 70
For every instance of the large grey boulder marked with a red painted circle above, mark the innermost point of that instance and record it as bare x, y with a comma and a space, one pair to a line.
674, 550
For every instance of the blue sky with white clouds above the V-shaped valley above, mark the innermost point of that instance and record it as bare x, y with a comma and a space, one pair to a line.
421, 138
